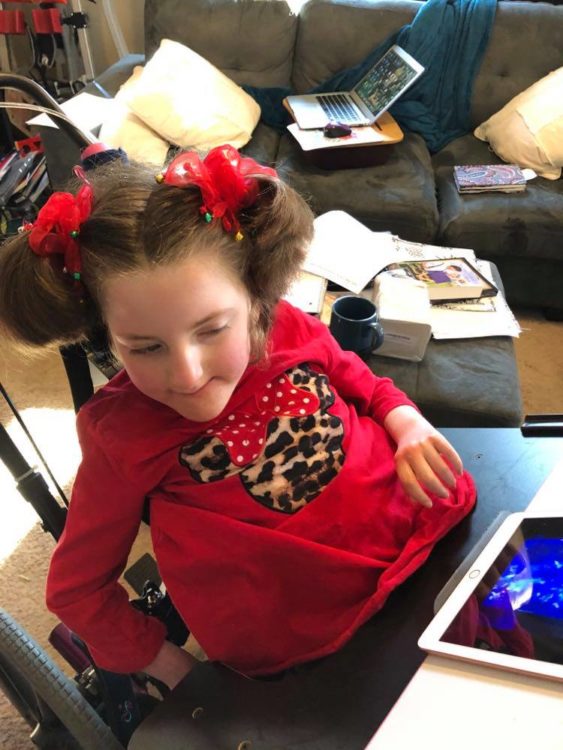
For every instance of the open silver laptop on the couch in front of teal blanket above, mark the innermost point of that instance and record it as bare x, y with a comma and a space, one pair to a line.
383, 84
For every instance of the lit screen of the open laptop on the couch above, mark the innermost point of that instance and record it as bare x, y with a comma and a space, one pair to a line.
386, 81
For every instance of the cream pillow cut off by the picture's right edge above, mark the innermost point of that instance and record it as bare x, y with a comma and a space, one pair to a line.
528, 131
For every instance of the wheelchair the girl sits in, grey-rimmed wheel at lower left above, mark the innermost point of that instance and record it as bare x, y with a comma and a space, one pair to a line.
97, 708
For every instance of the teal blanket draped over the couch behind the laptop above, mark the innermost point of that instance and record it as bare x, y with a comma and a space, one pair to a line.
449, 38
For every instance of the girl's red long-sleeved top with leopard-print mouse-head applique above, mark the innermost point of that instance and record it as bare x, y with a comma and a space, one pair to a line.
279, 527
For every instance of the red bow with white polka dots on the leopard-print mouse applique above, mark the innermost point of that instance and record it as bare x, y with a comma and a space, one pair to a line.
244, 433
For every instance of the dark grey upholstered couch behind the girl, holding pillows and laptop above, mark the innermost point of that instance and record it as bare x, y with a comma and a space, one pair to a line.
262, 43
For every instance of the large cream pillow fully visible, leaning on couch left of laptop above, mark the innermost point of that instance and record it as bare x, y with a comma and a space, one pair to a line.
189, 102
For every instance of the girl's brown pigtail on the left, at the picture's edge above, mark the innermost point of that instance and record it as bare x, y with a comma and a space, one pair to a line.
39, 303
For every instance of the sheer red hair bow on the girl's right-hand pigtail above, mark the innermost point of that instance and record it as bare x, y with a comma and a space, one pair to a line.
226, 180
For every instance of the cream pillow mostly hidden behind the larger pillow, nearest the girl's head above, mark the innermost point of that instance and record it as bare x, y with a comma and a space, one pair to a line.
123, 129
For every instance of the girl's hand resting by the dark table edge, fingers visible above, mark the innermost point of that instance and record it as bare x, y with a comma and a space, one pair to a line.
420, 454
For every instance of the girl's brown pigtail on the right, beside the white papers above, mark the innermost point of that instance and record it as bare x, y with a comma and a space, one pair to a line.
278, 228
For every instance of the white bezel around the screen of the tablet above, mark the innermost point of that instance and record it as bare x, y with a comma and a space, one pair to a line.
430, 638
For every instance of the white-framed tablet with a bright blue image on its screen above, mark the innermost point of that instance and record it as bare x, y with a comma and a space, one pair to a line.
507, 609
